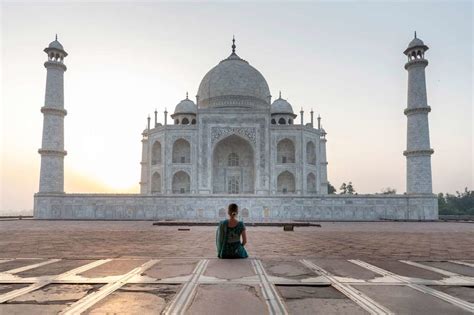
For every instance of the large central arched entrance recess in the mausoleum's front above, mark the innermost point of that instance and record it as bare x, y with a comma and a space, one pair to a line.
233, 167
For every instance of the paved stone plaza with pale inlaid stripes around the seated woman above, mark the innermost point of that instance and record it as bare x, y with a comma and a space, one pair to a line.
98, 267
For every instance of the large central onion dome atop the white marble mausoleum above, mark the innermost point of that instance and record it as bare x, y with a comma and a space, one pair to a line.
233, 83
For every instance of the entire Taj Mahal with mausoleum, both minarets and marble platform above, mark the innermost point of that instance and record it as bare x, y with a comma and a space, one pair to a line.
235, 144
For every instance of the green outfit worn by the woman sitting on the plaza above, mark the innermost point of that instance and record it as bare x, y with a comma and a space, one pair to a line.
228, 240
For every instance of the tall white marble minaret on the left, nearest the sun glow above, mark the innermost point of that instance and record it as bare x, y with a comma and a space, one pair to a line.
52, 147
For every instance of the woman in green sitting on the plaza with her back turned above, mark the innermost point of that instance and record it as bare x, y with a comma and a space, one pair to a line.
228, 236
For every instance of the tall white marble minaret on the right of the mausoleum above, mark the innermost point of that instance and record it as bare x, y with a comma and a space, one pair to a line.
418, 152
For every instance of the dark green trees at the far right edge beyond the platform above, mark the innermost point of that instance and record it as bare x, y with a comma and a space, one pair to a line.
462, 203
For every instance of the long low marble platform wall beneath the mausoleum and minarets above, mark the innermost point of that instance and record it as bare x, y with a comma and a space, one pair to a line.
252, 208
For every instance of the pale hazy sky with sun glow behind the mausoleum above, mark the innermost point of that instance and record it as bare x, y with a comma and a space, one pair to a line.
343, 59
